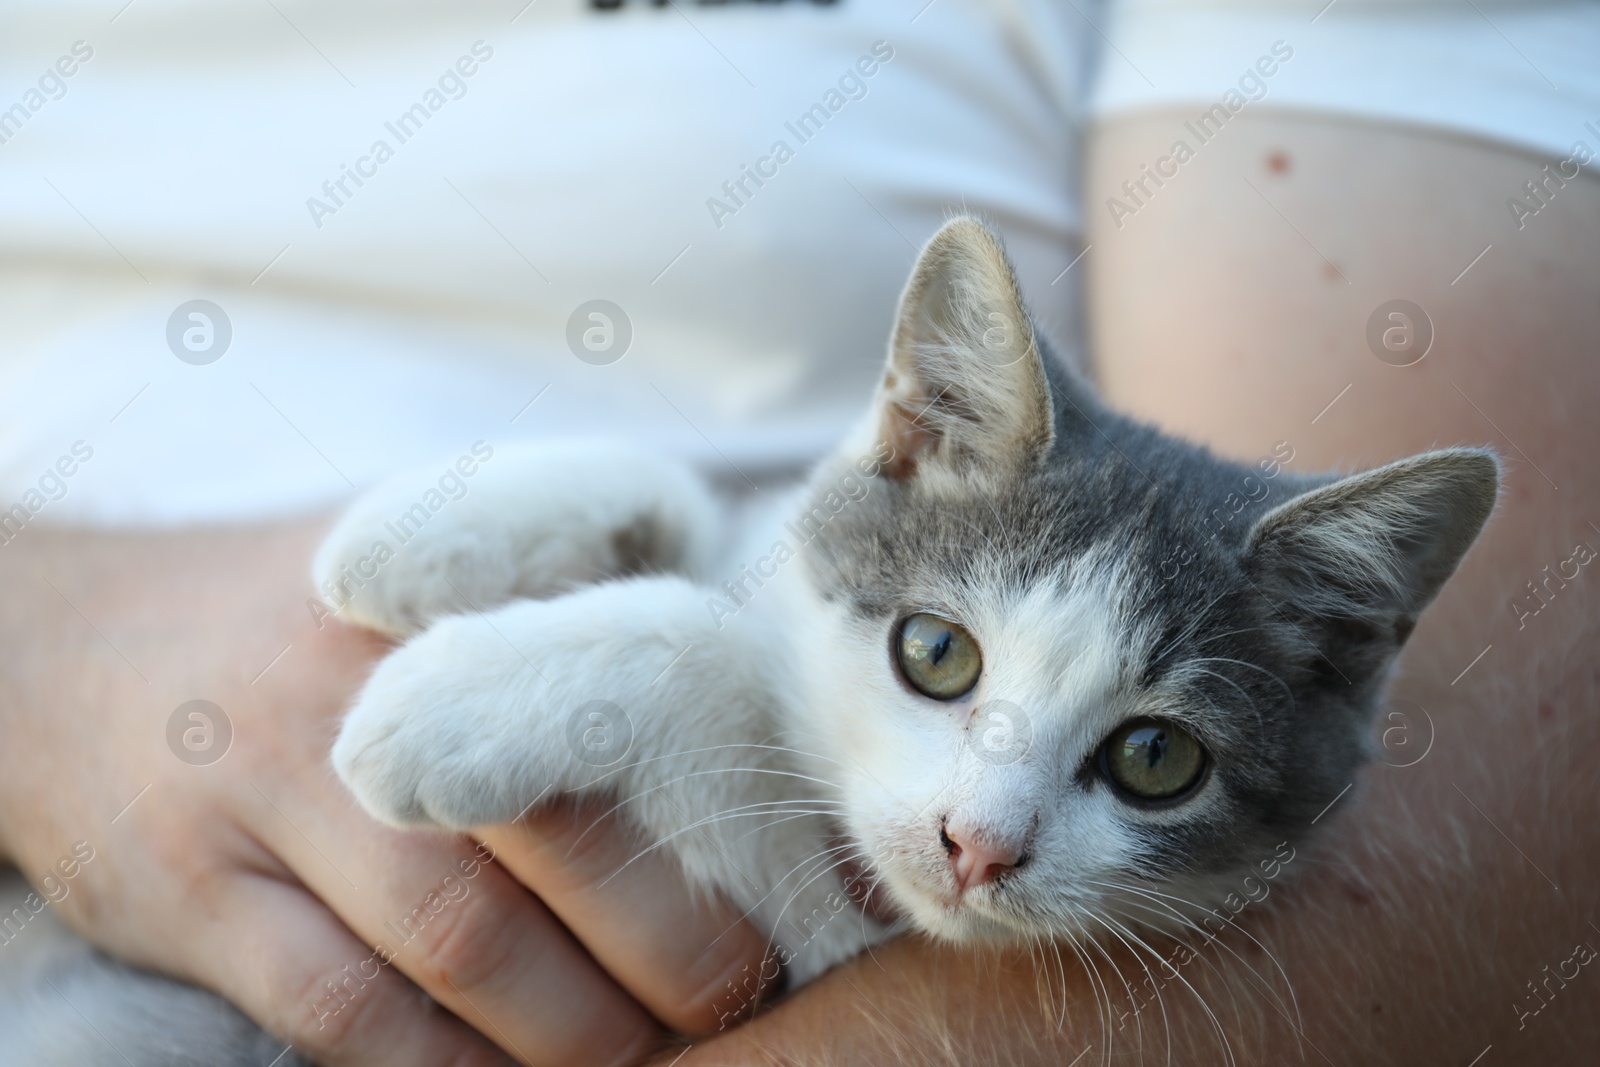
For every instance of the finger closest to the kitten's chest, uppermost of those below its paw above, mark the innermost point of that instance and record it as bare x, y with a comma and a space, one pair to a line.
694, 962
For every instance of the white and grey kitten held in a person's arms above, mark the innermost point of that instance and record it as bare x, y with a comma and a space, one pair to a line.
1009, 663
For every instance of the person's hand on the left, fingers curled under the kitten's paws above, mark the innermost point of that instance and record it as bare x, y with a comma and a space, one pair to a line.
258, 877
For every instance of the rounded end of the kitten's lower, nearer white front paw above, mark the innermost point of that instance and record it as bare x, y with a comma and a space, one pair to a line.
439, 735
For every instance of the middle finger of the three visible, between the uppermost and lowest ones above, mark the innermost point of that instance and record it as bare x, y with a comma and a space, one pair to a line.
465, 932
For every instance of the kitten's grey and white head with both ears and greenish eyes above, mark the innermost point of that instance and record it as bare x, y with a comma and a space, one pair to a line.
1071, 668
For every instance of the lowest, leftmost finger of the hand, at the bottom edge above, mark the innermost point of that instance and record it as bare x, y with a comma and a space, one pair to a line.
292, 967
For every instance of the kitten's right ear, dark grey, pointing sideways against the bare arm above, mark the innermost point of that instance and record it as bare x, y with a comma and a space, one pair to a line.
1370, 553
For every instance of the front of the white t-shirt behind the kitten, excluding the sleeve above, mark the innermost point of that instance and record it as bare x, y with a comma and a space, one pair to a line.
748, 183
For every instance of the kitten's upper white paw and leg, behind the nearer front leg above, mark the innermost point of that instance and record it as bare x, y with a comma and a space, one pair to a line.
526, 521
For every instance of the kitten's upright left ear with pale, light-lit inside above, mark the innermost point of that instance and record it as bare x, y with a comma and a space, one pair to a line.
966, 382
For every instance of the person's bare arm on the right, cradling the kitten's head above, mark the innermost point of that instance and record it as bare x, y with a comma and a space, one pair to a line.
1409, 932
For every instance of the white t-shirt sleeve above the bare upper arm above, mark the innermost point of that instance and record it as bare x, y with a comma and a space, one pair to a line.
1521, 73
